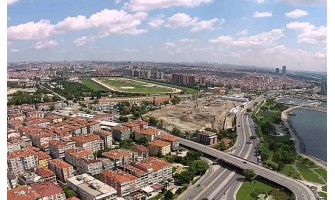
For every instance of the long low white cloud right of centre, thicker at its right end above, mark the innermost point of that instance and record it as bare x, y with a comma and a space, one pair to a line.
262, 39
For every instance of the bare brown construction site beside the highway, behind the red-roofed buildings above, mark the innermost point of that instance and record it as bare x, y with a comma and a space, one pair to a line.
197, 114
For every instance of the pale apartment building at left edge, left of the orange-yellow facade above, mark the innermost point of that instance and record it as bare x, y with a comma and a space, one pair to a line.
20, 160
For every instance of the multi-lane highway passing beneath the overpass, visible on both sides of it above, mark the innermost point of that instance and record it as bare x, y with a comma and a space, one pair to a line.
216, 185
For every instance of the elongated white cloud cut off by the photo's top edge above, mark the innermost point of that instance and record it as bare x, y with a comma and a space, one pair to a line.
146, 5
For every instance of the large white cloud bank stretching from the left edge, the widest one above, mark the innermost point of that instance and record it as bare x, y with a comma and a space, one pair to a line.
106, 22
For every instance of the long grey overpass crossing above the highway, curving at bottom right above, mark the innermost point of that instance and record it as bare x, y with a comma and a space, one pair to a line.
301, 191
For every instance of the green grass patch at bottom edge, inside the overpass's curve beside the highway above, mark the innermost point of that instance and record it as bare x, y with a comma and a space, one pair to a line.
248, 187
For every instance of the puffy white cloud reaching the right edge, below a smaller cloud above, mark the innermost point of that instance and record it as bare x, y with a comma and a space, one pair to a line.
308, 32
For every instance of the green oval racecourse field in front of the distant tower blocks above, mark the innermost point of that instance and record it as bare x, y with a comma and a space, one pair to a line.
135, 86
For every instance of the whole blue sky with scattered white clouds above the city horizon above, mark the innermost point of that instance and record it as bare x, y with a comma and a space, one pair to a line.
268, 33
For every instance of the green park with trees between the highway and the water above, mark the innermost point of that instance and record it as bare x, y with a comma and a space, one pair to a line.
278, 152
